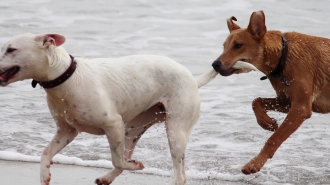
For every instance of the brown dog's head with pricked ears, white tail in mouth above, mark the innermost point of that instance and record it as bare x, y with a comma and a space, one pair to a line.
242, 47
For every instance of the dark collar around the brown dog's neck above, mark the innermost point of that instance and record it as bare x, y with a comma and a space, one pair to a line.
278, 72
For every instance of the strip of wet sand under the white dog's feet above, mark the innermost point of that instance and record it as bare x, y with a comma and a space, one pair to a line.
28, 174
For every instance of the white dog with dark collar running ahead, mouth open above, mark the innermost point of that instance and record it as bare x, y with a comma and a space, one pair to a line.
120, 98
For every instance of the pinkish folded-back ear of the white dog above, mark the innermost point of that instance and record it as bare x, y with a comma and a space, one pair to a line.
49, 39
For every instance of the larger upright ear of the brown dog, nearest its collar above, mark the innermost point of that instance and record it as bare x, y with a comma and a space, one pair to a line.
257, 25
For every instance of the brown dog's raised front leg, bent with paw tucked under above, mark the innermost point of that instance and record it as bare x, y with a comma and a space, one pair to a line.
260, 107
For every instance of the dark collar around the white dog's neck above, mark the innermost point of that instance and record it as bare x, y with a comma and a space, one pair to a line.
59, 80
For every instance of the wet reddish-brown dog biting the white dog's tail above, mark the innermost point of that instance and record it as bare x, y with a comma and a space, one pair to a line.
298, 67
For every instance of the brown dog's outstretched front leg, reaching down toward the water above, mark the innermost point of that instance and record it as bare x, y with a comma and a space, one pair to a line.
294, 119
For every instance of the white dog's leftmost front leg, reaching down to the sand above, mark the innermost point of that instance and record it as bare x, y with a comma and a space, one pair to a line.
65, 134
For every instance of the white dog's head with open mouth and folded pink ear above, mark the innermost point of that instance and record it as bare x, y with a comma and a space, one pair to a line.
26, 56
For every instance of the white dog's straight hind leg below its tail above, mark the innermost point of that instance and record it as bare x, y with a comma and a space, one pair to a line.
183, 114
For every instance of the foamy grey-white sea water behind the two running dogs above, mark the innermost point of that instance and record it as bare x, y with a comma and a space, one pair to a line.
191, 32
